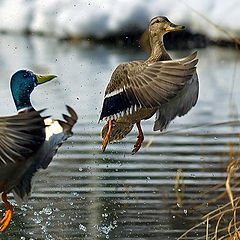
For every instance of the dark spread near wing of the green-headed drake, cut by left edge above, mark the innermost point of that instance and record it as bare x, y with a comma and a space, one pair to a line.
18, 138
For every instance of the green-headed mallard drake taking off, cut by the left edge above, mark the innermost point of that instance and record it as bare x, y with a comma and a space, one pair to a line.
28, 141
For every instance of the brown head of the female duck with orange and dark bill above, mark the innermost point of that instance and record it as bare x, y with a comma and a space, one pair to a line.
158, 26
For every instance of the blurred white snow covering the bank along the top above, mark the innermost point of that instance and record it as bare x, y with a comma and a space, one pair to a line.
100, 18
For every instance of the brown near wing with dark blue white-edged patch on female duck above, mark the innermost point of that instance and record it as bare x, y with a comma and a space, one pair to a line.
142, 84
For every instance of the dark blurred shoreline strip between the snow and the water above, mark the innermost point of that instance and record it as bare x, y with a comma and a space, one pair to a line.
175, 40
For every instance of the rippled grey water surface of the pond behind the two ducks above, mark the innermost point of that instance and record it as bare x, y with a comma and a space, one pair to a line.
86, 194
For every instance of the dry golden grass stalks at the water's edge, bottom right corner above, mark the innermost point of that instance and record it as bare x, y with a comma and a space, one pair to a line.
225, 219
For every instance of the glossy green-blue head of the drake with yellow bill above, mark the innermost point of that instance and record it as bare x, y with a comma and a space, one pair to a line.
22, 84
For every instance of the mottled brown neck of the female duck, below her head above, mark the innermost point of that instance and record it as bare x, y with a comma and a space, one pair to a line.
158, 51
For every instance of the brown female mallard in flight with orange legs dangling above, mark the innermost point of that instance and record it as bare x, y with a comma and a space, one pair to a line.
139, 89
